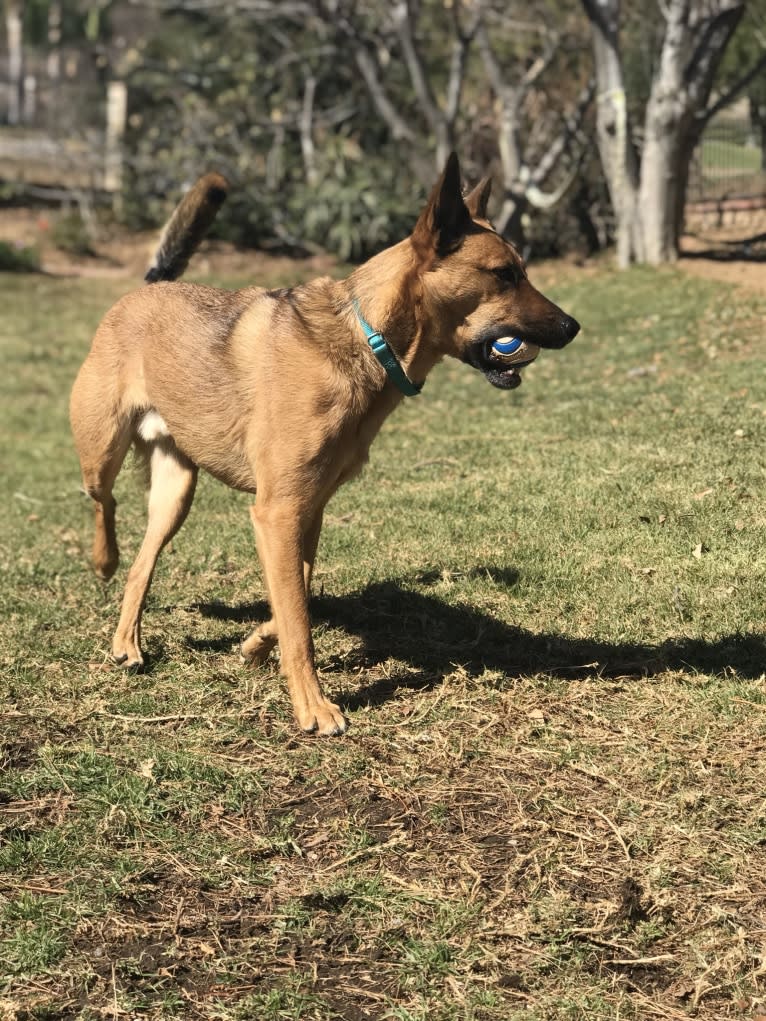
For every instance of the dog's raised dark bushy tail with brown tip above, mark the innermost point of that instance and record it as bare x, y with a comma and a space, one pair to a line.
187, 227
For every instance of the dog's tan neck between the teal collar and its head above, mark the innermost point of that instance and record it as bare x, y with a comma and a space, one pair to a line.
388, 291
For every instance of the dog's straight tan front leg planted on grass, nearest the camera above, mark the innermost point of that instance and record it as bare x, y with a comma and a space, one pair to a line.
279, 534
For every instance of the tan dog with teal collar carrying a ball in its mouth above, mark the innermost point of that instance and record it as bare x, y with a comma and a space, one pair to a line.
280, 394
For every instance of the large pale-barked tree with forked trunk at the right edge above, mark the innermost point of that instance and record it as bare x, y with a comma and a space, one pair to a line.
648, 188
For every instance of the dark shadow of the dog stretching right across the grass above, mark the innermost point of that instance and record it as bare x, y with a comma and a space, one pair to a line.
435, 638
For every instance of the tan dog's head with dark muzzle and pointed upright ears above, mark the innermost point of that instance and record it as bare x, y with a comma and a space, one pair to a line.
474, 283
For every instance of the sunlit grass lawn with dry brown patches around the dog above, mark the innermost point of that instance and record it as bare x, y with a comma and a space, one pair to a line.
544, 613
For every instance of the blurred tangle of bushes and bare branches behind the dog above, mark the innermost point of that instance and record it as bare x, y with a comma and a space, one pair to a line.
332, 118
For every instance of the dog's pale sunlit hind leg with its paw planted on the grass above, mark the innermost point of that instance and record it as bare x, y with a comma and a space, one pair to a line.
172, 482
